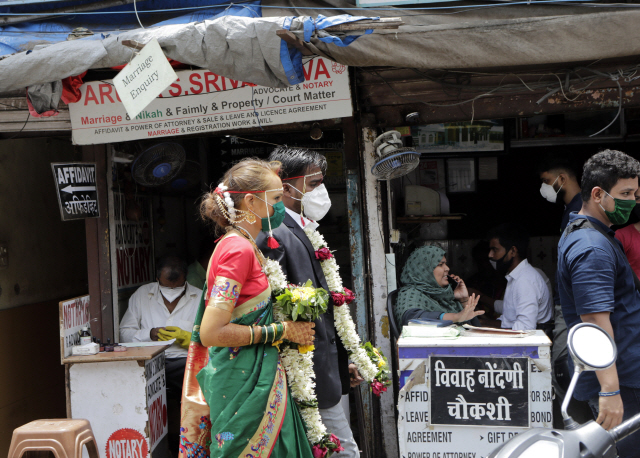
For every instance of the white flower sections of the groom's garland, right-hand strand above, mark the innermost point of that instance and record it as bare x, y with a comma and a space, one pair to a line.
342, 316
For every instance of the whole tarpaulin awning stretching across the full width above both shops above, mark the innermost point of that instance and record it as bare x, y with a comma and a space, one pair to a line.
247, 48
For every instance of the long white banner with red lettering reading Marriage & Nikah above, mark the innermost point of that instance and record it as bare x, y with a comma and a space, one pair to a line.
201, 101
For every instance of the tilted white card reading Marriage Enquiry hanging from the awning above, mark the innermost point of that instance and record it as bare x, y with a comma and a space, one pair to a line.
142, 79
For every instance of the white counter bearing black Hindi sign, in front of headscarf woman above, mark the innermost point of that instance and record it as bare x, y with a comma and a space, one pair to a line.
462, 397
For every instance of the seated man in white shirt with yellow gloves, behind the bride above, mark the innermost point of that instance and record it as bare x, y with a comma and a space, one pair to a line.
165, 310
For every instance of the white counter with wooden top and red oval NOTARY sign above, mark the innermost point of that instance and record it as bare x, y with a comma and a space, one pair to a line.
123, 395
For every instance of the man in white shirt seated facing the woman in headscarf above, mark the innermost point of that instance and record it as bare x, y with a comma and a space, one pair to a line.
528, 303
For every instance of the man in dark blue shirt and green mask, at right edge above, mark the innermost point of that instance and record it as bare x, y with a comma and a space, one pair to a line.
596, 285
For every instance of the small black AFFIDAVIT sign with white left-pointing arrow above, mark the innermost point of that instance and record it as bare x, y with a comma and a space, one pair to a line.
76, 189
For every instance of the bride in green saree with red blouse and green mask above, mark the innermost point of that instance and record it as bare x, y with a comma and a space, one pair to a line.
236, 402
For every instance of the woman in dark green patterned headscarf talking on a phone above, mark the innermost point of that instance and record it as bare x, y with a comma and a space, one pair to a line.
427, 293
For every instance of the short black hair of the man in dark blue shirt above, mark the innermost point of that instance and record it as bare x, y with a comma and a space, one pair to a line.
605, 168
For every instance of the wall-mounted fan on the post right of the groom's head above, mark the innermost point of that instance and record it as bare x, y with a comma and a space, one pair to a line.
395, 160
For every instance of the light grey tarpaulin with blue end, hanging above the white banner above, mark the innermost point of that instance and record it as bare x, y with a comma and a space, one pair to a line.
240, 48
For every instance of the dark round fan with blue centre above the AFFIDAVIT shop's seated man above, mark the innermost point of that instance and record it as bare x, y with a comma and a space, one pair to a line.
159, 164
